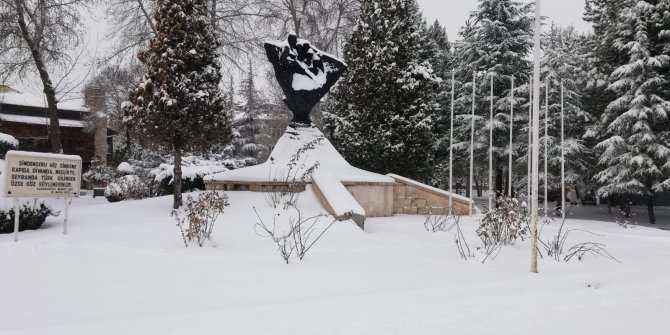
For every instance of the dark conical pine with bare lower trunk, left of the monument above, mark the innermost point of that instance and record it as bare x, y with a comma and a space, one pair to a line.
178, 104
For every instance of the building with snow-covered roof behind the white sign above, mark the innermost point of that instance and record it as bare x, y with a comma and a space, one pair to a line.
25, 117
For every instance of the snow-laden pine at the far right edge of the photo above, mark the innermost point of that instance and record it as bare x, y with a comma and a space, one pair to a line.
635, 156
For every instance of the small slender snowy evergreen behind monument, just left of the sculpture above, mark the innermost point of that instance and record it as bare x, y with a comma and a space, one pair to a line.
248, 127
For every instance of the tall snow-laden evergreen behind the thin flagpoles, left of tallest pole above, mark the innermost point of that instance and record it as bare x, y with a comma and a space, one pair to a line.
496, 42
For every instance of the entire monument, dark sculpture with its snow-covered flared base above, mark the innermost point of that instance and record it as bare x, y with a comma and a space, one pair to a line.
305, 75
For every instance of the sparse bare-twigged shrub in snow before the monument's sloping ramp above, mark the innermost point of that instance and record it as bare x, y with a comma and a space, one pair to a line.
296, 236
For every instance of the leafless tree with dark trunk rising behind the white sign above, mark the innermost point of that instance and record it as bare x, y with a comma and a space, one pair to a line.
38, 34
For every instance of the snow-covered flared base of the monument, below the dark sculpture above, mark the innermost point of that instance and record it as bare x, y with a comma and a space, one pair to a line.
302, 151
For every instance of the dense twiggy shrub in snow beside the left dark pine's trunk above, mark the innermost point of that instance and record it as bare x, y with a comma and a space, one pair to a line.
197, 217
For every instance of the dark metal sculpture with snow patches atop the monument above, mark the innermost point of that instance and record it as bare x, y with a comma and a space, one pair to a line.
304, 73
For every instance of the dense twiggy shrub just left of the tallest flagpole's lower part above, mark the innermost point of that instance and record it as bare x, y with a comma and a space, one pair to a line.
503, 224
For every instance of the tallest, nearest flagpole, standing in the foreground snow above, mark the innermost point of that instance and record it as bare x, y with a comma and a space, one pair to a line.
536, 134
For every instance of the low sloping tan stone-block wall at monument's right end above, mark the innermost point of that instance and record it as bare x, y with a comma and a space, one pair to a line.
415, 198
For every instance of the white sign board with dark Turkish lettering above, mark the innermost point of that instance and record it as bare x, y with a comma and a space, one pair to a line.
35, 174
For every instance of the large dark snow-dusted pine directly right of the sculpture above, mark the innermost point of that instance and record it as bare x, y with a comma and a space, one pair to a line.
381, 114
